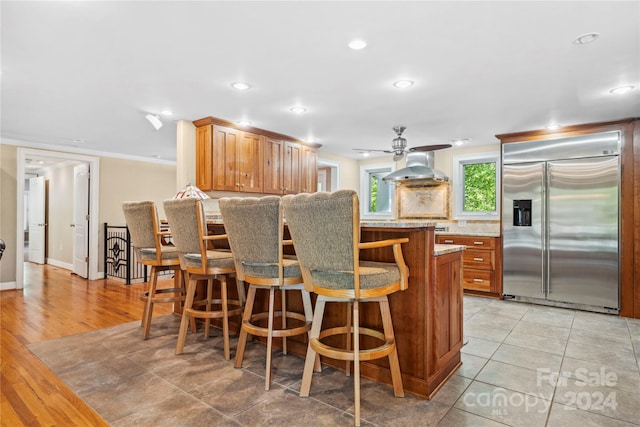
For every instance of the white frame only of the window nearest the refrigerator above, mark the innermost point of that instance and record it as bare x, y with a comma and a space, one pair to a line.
459, 162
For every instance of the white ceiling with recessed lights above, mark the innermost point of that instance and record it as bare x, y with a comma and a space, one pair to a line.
91, 70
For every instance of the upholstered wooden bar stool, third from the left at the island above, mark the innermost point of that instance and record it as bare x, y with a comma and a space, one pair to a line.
255, 230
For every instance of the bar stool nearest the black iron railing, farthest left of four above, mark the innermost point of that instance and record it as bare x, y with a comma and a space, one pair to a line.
146, 237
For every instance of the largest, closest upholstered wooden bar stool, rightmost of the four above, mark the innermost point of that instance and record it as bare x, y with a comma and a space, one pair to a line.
325, 228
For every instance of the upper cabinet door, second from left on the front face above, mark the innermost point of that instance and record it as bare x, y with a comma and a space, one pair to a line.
250, 162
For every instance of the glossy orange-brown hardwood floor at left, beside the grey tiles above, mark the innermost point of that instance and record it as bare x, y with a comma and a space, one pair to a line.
54, 303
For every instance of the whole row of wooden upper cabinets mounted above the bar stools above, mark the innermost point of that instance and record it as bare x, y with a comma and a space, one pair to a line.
252, 160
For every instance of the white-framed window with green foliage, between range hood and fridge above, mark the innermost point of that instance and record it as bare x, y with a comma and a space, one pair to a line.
476, 183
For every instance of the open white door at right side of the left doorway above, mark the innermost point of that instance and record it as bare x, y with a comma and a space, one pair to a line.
80, 220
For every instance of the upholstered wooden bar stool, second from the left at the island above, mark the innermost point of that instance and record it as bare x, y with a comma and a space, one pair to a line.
189, 230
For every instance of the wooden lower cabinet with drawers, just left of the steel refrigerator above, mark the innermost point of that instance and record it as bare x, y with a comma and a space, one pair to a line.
482, 263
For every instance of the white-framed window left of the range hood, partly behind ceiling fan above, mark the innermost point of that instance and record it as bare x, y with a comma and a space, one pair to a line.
376, 195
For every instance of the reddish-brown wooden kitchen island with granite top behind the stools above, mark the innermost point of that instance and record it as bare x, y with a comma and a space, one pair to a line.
427, 317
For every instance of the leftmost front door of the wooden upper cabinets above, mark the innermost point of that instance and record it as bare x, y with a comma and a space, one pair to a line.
225, 154
